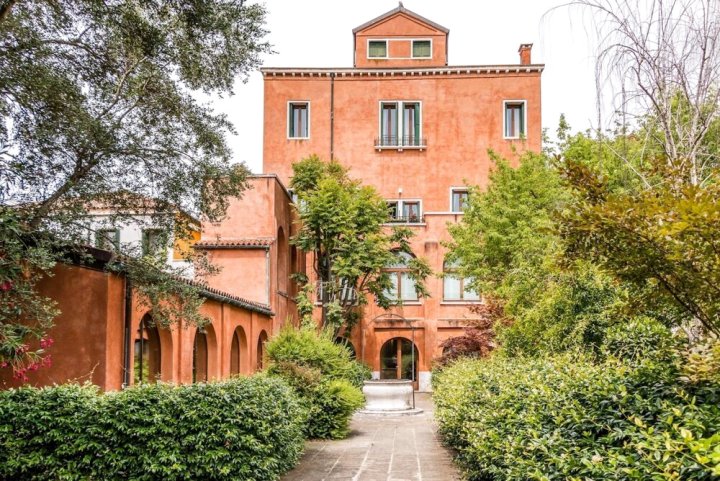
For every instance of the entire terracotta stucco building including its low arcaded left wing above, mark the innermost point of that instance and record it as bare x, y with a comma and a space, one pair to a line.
401, 119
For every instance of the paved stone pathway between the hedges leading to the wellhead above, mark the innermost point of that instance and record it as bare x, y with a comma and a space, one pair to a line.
381, 448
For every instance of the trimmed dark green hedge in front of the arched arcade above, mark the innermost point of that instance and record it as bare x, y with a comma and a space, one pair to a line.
244, 429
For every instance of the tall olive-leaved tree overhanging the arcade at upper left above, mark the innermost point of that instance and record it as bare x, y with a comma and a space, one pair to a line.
97, 100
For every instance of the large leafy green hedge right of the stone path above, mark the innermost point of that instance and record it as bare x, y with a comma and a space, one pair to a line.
566, 418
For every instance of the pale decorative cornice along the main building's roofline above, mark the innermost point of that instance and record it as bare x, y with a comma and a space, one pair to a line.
403, 72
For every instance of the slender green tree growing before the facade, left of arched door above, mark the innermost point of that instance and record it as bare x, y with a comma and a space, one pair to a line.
341, 223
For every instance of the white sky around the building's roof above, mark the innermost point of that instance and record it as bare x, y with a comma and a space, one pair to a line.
318, 33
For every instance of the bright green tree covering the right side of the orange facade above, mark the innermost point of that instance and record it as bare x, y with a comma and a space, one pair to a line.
508, 243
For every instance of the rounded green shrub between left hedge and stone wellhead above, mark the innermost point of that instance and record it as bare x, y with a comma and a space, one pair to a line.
323, 374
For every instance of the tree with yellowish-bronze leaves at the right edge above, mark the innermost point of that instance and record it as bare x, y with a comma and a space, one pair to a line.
662, 241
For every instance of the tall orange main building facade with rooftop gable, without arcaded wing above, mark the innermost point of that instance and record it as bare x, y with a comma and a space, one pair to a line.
418, 130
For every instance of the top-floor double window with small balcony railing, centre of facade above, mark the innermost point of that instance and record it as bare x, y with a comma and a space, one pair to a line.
400, 124
